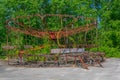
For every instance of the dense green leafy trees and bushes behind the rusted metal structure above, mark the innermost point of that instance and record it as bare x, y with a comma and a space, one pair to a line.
106, 12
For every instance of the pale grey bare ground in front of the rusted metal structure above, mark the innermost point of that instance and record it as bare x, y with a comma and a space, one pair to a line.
111, 71
